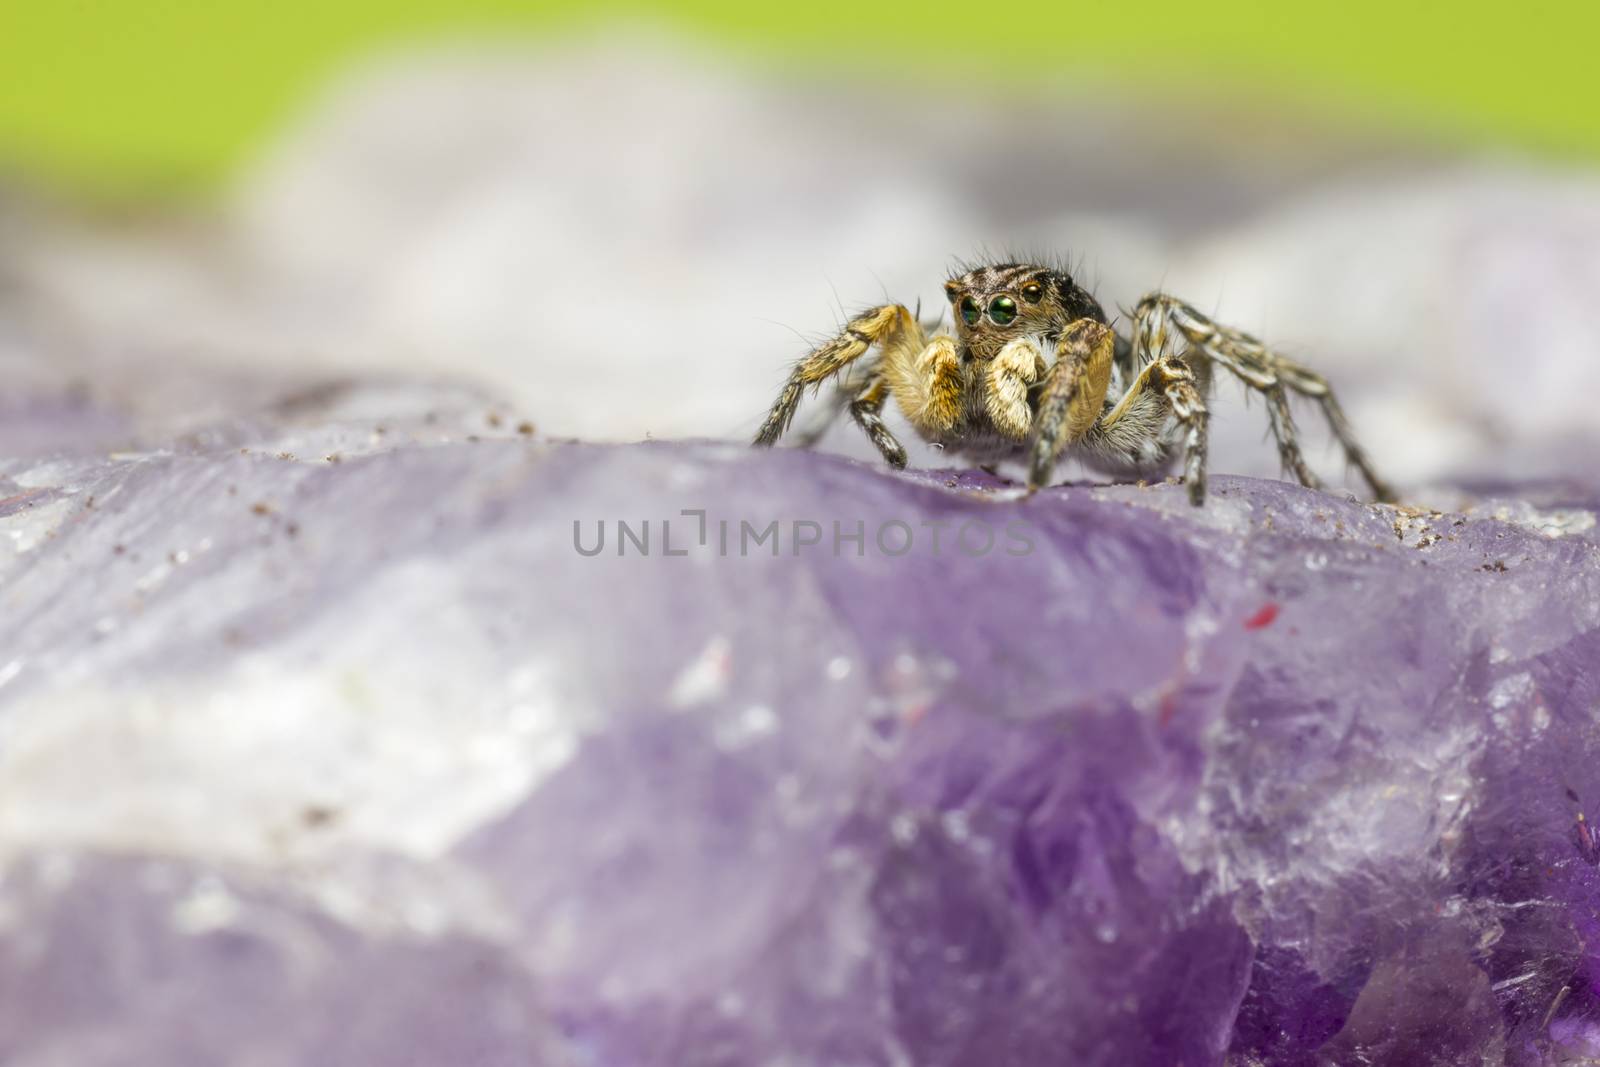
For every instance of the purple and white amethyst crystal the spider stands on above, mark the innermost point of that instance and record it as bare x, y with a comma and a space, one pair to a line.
329, 745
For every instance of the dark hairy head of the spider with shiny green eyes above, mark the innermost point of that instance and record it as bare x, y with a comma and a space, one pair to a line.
996, 305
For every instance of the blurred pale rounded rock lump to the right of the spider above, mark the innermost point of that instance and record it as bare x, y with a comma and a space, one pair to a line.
1460, 305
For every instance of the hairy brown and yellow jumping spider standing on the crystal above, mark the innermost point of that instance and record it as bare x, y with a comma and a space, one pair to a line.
1034, 370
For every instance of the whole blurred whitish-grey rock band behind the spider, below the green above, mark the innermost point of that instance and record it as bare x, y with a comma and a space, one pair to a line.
633, 238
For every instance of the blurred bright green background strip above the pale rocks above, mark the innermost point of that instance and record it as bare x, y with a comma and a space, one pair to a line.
164, 95
